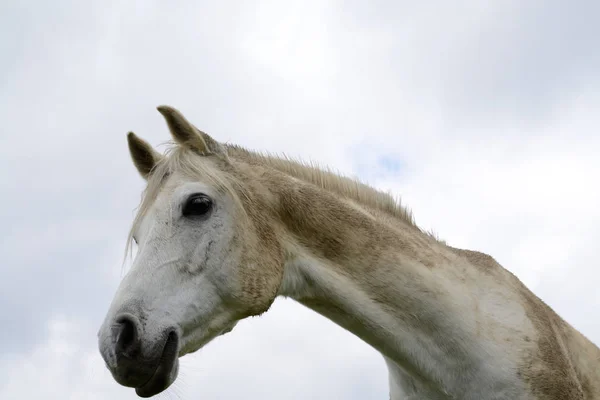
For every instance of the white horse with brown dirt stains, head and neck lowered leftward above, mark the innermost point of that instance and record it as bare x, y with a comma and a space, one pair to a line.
223, 231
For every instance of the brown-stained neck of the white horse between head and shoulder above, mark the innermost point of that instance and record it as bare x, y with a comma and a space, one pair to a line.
376, 276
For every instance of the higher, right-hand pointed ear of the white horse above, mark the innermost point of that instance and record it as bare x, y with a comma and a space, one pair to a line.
187, 134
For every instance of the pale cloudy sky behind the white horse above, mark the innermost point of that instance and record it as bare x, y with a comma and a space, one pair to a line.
483, 116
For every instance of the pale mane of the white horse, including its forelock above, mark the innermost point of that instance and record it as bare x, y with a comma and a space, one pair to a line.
178, 158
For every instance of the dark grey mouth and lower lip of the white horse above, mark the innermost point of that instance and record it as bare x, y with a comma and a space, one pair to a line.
166, 371
